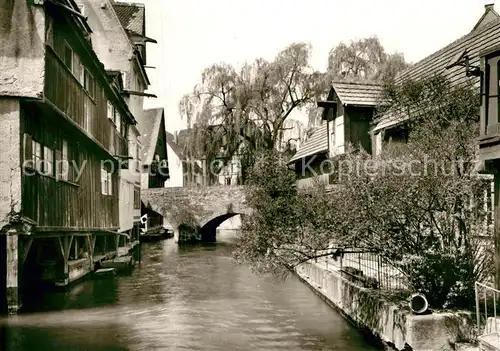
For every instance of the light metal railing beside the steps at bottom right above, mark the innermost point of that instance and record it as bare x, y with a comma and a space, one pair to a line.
489, 297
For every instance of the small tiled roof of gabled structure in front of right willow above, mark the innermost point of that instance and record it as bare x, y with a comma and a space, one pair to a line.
359, 94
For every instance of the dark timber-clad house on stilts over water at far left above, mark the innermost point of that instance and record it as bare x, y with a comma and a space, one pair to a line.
62, 151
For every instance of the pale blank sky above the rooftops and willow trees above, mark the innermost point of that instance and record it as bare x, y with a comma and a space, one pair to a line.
193, 34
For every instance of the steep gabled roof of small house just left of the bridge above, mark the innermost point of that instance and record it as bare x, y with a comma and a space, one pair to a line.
150, 129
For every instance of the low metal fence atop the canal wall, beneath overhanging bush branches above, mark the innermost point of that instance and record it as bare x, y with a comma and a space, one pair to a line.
367, 268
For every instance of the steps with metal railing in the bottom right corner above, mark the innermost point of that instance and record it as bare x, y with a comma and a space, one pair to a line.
487, 320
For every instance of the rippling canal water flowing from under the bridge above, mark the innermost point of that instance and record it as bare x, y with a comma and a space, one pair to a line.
182, 299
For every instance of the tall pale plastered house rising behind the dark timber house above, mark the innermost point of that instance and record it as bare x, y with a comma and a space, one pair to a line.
120, 44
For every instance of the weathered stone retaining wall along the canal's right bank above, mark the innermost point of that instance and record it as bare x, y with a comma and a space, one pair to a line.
392, 325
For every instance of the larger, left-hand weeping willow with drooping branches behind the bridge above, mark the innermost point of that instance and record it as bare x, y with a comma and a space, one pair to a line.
243, 112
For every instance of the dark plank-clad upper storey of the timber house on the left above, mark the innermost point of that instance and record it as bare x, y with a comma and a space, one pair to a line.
68, 96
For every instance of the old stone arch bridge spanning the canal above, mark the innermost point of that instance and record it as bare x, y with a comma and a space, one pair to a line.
196, 212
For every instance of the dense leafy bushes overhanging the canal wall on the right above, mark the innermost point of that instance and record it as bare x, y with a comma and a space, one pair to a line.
418, 204
